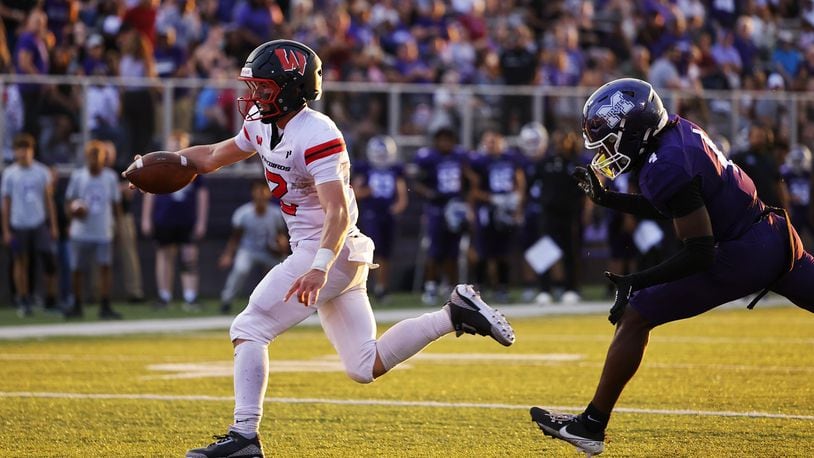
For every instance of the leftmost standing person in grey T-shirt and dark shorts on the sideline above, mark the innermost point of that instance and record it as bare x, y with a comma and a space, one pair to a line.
29, 222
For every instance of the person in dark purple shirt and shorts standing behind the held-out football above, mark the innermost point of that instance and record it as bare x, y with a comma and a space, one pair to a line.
177, 222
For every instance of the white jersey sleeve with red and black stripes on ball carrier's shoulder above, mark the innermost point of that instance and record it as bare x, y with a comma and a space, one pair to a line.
324, 153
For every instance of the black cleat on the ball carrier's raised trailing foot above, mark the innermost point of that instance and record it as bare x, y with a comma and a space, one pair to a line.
471, 315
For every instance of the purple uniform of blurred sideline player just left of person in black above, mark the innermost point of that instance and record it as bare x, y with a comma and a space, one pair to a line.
492, 223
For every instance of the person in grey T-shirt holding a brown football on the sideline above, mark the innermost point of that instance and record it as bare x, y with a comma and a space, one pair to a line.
93, 202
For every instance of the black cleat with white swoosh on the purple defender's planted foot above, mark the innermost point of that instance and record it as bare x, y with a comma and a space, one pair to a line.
569, 428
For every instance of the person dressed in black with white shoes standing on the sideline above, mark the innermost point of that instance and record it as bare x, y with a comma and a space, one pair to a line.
563, 203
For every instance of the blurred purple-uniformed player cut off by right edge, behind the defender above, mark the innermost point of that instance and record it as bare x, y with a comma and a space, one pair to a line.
796, 173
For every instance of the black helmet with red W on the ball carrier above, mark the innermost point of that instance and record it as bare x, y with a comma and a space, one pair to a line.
282, 76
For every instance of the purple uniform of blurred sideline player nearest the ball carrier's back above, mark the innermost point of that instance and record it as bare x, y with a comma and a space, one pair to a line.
375, 218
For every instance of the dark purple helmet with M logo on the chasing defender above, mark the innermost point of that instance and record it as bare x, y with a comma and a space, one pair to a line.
619, 119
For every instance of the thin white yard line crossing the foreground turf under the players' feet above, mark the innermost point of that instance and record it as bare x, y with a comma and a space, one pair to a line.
394, 403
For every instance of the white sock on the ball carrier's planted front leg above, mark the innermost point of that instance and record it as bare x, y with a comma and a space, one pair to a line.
251, 379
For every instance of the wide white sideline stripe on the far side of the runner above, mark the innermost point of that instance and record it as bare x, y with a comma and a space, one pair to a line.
174, 325
